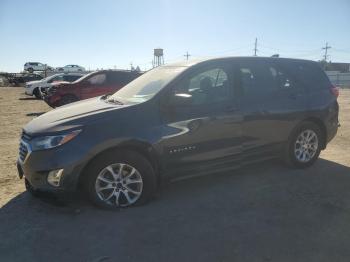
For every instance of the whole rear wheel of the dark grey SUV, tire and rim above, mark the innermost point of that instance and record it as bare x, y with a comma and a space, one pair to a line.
304, 145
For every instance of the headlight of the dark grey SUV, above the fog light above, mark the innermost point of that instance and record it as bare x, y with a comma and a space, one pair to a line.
47, 142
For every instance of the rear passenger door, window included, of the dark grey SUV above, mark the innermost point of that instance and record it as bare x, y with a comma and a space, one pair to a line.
272, 103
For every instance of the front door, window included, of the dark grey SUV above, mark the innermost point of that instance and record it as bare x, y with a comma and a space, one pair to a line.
206, 132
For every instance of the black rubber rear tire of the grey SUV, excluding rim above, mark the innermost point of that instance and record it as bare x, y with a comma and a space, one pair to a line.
291, 159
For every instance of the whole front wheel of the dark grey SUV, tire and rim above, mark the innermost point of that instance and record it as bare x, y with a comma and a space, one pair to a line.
137, 175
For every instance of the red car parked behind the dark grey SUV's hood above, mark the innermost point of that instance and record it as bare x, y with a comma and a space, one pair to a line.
91, 85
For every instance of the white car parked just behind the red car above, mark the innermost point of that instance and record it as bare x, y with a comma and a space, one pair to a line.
33, 87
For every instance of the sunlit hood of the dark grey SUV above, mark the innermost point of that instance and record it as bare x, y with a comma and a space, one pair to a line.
71, 116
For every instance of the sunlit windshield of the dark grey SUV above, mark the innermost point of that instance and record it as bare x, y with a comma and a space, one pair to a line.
147, 85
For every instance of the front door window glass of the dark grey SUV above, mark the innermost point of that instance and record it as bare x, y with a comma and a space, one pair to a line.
207, 87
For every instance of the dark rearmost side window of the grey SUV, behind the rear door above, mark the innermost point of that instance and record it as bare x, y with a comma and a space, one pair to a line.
309, 74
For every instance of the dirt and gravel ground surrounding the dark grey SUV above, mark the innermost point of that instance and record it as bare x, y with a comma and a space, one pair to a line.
265, 212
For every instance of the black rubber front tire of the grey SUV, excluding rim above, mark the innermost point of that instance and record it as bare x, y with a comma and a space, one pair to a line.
132, 158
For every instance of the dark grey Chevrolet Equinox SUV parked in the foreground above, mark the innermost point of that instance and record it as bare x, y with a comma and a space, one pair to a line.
183, 119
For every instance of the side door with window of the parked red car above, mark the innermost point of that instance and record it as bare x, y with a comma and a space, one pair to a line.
96, 85
